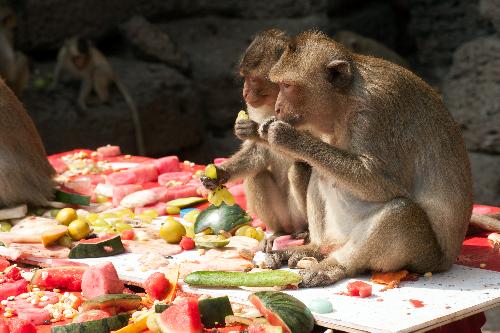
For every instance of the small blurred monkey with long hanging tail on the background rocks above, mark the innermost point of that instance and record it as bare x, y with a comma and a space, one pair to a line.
82, 60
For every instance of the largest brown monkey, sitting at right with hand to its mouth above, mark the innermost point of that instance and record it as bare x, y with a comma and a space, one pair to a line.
390, 186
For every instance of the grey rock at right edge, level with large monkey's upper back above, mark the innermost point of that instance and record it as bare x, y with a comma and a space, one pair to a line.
471, 92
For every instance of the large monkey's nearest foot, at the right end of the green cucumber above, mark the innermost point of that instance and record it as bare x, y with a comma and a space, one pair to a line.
322, 274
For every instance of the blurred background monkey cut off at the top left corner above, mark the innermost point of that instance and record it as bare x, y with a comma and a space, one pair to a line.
14, 67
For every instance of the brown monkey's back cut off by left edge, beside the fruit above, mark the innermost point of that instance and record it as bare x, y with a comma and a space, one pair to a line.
25, 173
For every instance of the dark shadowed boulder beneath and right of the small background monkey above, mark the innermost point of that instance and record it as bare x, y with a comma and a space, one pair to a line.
167, 103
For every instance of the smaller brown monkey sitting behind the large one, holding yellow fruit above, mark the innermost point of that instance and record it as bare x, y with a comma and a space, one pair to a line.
275, 185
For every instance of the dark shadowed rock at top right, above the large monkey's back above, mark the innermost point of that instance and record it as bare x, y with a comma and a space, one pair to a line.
439, 27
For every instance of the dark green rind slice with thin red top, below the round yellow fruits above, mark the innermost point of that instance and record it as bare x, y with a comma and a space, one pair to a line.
97, 250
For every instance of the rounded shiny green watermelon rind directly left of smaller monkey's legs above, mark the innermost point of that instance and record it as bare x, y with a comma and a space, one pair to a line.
220, 218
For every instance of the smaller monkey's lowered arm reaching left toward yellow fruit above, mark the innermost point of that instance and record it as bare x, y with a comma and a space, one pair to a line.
250, 159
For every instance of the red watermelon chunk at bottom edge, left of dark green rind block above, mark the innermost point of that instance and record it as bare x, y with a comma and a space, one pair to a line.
183, 317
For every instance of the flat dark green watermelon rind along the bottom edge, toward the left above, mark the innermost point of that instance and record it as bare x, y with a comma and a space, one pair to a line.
93, 326
